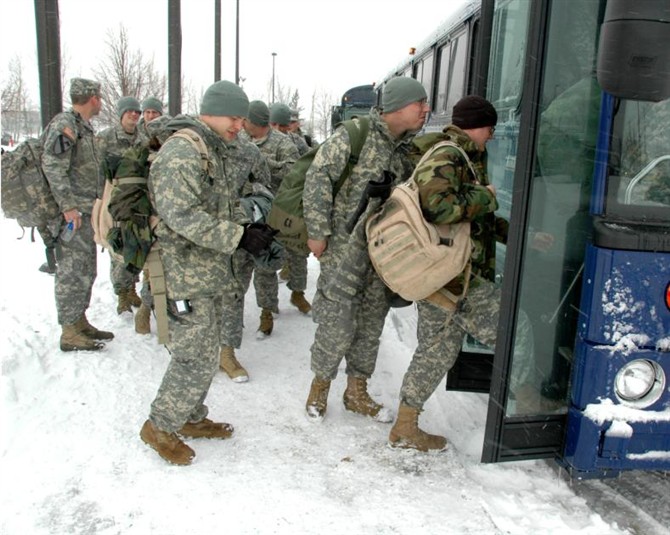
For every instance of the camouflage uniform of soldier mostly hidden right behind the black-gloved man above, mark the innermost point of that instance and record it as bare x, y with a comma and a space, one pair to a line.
247, 167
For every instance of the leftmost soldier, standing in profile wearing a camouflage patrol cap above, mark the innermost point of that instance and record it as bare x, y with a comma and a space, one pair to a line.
70, 163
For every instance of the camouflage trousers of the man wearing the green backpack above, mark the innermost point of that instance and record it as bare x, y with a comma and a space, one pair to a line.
349, 329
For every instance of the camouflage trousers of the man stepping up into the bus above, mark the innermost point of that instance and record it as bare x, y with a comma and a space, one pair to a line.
440, 335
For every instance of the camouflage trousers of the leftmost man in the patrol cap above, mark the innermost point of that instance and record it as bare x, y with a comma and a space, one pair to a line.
75, 273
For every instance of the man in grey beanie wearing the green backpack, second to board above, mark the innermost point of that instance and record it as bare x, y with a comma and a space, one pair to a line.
351, 301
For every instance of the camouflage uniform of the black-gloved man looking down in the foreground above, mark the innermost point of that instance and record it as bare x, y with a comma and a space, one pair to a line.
198, 234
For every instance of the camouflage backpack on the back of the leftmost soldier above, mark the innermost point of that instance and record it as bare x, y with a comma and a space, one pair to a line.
26, 194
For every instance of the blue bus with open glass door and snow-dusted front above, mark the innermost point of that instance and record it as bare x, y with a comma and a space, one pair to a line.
581, 151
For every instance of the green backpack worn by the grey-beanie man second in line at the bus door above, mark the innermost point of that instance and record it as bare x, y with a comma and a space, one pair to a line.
287, 213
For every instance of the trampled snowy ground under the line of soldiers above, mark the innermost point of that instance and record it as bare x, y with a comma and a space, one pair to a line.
72, 462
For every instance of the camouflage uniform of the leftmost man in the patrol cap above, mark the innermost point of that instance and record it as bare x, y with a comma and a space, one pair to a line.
72, 167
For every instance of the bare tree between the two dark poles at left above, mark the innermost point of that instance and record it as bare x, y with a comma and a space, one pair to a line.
126, 72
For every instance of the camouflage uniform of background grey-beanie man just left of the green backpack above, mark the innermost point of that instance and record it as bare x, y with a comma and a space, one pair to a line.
280, 154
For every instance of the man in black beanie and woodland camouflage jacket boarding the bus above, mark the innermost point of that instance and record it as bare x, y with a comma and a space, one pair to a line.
449, 193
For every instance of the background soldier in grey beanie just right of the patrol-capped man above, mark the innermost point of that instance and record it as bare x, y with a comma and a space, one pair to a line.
112, 143
